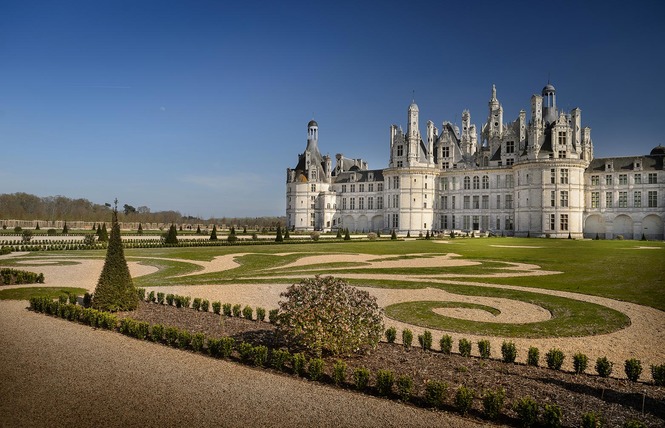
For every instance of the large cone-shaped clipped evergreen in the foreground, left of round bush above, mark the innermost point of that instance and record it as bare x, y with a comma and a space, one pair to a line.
115, 289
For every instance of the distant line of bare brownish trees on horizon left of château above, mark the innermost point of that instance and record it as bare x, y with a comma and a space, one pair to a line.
24, 206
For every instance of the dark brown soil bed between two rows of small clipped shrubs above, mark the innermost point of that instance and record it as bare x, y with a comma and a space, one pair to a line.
616, 400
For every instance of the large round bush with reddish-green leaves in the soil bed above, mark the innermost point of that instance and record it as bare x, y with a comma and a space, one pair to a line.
326, 315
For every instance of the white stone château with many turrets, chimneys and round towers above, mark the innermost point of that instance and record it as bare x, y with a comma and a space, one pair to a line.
534, 177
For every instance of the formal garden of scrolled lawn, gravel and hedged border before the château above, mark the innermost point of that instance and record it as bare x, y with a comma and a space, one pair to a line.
517, 331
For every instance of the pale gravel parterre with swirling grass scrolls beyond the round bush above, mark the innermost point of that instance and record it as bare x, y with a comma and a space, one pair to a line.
631, 330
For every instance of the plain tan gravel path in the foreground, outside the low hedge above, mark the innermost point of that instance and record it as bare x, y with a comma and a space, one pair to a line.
58, 373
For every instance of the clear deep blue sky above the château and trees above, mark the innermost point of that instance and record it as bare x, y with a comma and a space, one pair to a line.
200, 106
